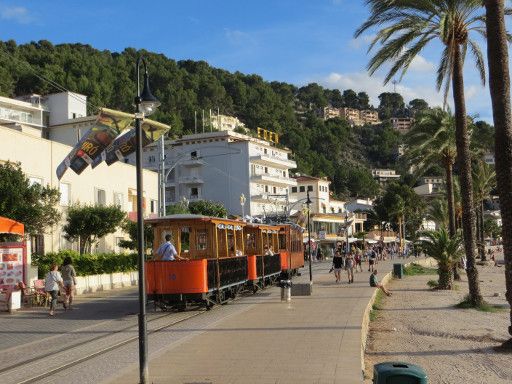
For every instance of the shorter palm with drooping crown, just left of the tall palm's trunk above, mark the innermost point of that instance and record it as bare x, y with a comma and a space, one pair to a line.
432, 139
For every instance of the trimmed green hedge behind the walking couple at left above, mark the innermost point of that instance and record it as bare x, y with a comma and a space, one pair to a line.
87, 264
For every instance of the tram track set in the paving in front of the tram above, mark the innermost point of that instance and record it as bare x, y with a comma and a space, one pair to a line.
29, 365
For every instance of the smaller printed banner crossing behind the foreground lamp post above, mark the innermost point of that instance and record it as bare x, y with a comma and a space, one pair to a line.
124, 145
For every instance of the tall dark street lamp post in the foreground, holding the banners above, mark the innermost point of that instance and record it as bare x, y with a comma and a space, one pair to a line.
145, 104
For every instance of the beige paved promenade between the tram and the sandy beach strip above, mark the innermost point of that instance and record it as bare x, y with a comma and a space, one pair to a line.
312, 339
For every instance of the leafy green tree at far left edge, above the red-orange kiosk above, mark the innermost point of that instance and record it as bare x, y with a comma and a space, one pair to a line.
34, 205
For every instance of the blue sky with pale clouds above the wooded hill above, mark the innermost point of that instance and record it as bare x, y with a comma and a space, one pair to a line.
294, 41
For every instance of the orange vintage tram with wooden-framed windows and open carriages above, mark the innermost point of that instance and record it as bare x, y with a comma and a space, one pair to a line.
224, 257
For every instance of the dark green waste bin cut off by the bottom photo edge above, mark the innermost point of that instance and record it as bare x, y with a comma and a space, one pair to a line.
398, 373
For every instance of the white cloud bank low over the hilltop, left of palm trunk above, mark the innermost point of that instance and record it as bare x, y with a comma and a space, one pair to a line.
361, 81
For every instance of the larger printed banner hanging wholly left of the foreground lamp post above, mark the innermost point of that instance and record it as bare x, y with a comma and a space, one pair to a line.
107, 126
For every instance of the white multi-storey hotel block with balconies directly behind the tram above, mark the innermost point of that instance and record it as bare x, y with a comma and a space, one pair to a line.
221, 166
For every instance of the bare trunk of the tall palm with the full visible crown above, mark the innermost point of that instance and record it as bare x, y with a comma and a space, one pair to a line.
466, 183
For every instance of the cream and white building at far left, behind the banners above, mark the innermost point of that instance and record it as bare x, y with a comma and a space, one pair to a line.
22, 139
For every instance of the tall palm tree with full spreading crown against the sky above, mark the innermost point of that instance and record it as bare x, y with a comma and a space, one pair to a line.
406, 27
